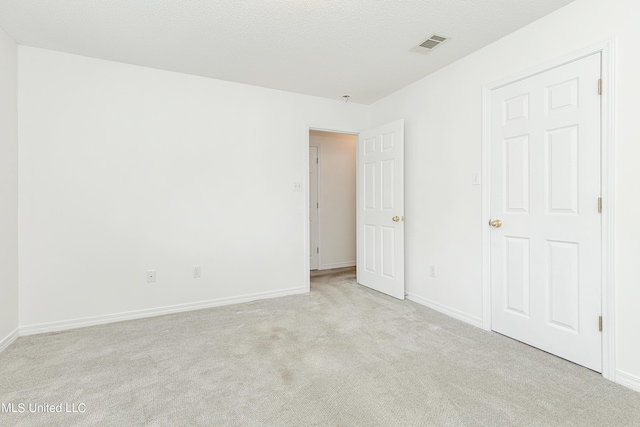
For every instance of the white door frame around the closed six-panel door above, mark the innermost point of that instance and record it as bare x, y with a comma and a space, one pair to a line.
606, 49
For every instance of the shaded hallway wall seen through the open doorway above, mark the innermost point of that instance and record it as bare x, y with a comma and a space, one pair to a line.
337, 198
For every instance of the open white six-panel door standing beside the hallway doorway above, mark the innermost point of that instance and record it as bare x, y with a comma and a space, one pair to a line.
380, 233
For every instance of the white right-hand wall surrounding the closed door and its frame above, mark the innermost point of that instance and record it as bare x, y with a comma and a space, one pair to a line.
442, 113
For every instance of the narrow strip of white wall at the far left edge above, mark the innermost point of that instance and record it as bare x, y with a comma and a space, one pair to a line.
8, 189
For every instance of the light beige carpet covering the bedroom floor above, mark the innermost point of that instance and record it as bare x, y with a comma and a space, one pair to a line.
340, 356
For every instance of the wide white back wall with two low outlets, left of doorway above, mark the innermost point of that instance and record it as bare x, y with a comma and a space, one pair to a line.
124, 169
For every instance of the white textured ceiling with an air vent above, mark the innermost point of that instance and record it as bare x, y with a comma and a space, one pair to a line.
317, 47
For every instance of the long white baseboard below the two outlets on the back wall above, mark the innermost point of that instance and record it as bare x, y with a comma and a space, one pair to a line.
159, 311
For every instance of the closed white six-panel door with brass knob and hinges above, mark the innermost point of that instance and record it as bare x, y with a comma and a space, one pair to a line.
545, 185
